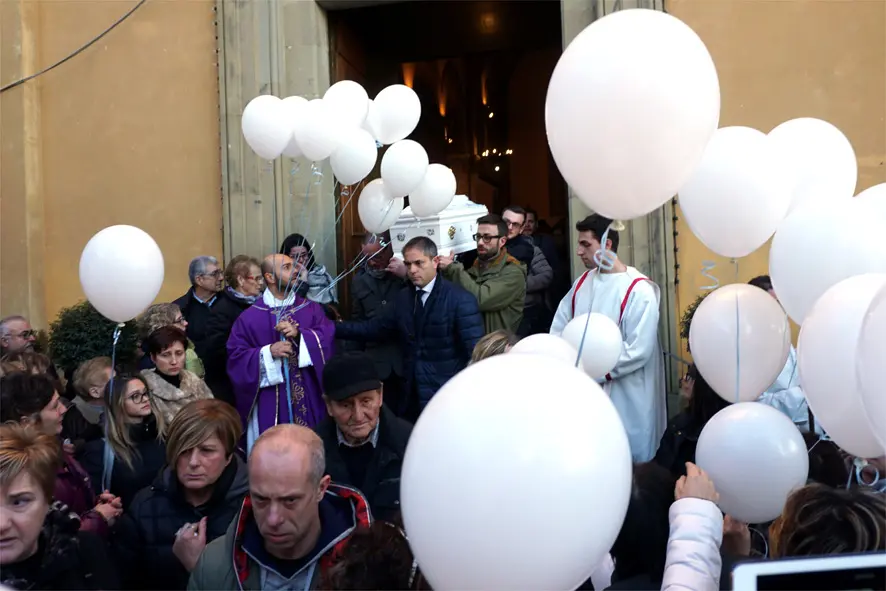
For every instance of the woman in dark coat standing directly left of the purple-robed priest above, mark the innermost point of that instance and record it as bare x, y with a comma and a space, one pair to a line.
245, 285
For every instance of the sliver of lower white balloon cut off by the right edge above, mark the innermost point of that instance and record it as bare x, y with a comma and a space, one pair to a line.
871, 368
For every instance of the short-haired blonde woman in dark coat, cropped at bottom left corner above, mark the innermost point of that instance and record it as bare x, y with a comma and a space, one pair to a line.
44, 546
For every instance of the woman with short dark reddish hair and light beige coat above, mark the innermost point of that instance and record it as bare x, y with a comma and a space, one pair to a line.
171, 384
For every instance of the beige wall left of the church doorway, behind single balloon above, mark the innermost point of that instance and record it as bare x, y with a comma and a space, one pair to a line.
125, 133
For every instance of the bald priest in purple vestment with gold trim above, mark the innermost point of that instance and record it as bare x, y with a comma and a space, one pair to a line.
276, 353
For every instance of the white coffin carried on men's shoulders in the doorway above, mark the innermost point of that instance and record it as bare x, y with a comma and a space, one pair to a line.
452, 229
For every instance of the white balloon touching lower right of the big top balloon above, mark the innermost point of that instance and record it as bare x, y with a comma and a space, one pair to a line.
737, 196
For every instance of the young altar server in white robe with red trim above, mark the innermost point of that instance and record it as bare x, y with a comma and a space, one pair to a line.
636, 384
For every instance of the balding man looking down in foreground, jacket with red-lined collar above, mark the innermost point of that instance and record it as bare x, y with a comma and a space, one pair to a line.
292, 524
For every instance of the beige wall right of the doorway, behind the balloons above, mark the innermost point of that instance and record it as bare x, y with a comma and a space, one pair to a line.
778, 60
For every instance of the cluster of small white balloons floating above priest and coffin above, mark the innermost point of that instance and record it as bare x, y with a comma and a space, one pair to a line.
348, 127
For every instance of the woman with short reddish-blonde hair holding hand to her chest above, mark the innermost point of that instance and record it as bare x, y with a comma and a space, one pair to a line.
195, 496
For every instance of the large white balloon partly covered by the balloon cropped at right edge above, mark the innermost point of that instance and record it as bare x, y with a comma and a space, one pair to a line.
827, 360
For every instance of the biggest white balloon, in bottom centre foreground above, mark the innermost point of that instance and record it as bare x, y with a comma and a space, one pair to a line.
484, 506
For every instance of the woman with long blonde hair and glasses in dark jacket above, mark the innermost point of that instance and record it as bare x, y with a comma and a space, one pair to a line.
132, 452
